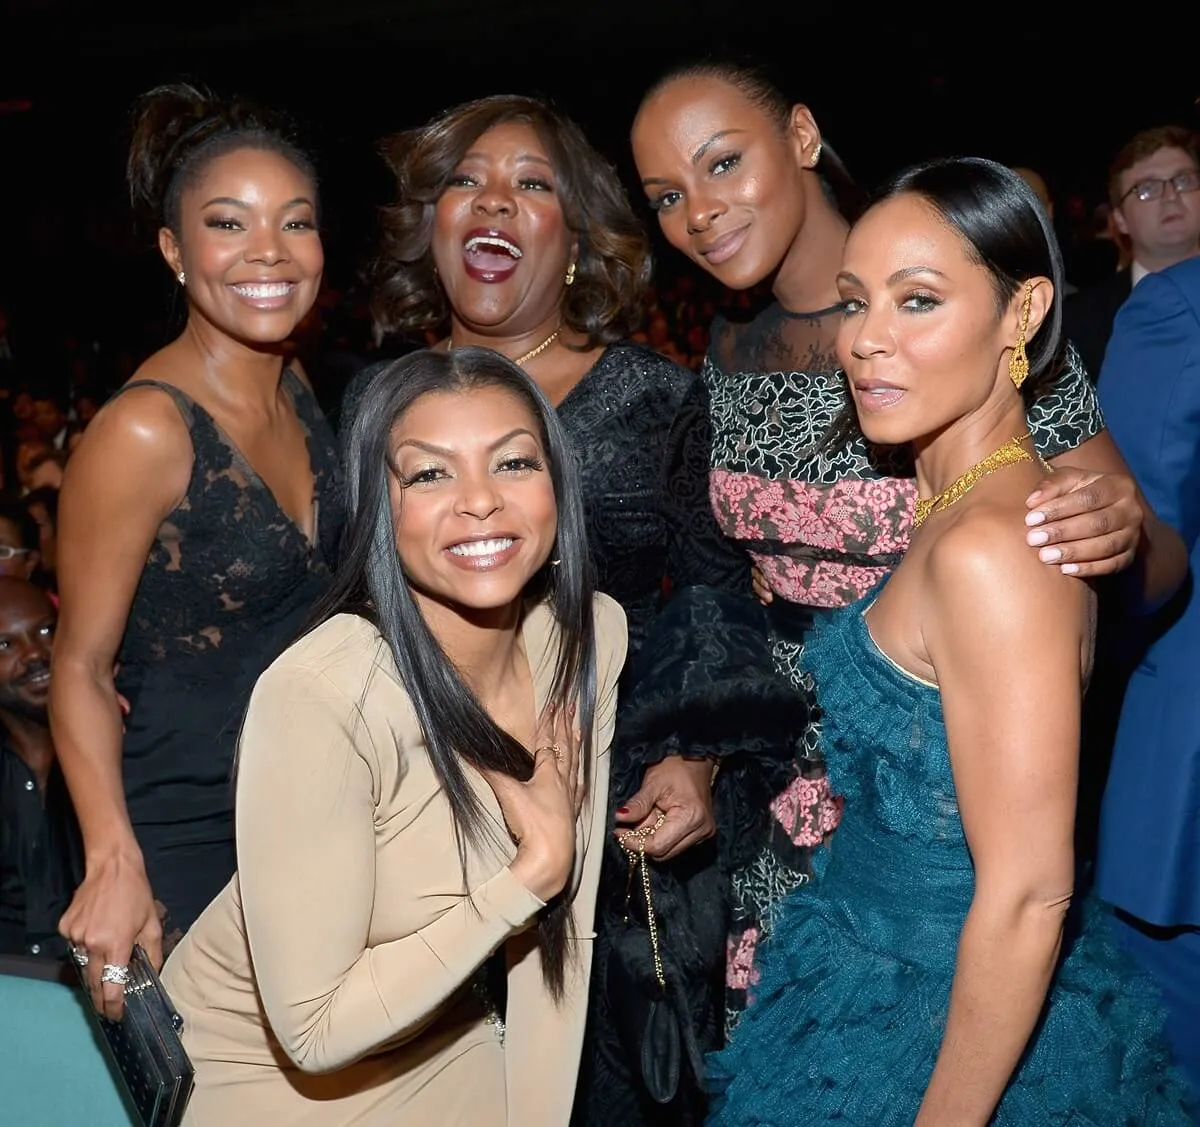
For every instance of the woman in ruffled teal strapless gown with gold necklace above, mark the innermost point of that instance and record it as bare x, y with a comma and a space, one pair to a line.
943, 976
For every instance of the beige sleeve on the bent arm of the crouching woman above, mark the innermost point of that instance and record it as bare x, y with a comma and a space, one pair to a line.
307, 864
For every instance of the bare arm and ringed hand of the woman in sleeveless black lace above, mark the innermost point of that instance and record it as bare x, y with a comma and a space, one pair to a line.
129, 473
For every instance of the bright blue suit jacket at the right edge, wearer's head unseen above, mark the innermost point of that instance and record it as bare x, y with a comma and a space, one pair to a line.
1149, 861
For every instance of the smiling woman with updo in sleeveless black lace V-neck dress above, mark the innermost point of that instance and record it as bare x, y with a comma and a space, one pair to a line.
197, 526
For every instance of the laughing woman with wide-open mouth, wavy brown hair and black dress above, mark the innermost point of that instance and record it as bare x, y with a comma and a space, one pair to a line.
511, 231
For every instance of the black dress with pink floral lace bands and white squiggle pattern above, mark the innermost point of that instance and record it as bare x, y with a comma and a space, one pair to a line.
825, 515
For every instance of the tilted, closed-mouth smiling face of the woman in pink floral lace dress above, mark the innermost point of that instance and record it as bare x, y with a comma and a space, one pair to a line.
724, 178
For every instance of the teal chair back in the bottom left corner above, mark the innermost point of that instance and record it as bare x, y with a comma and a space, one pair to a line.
55, 1071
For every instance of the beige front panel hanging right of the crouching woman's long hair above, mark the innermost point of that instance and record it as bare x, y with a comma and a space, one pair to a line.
544, 1041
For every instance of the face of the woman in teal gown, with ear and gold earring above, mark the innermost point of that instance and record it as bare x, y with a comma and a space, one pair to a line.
923, 344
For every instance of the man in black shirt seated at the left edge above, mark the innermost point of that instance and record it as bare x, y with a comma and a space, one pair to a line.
39, 840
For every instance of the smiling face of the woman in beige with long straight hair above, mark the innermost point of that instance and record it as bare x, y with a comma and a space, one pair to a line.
473, 502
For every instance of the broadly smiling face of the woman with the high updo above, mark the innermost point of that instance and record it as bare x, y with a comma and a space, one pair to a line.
249, 245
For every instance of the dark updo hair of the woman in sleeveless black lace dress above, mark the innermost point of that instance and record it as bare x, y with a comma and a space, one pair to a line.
179, 128
